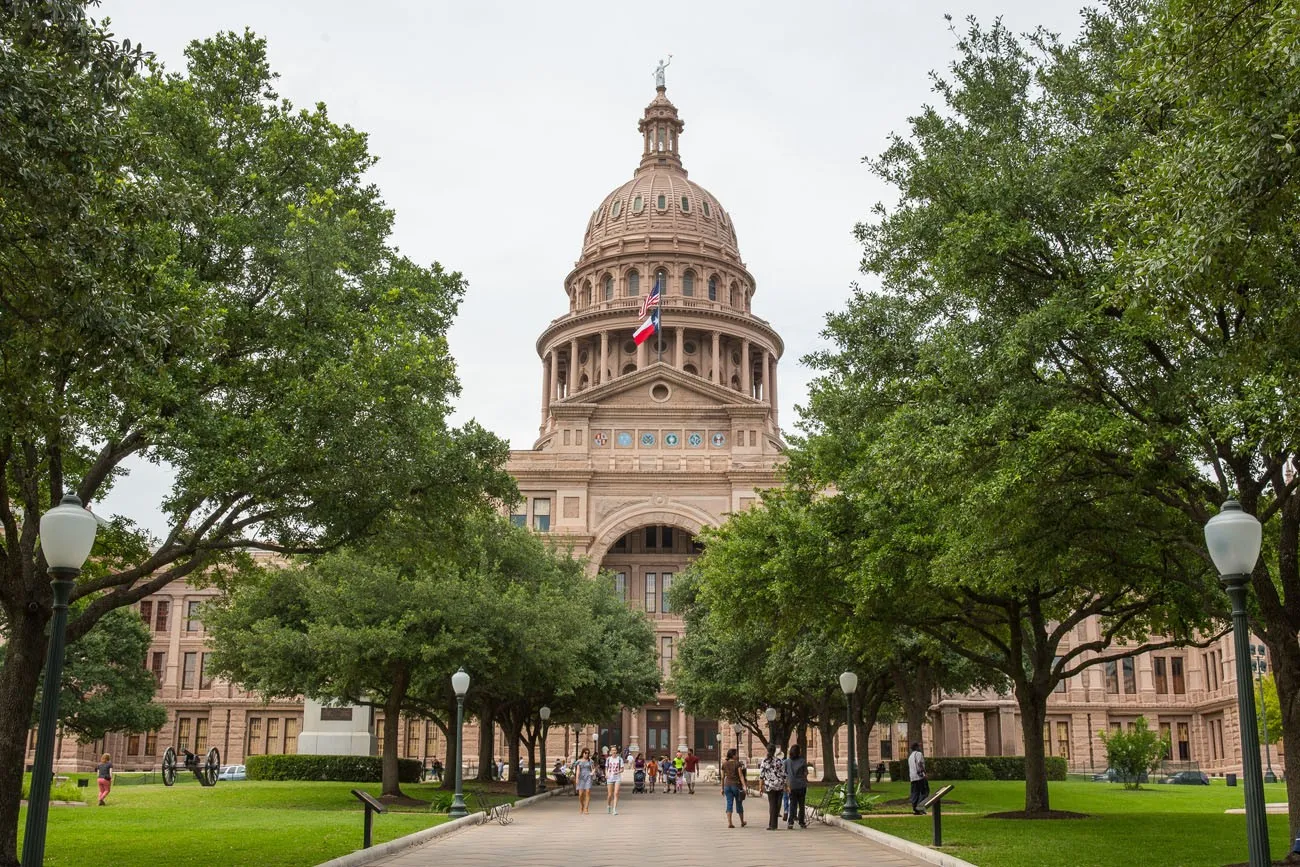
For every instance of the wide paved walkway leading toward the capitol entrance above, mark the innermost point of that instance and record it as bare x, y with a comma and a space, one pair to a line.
660, 830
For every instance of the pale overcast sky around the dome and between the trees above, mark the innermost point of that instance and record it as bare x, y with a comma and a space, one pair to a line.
501, 127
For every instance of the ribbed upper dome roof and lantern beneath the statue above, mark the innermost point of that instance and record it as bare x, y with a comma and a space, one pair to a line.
660, 200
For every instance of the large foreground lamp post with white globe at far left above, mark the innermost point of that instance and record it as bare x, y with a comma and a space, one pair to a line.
67, 537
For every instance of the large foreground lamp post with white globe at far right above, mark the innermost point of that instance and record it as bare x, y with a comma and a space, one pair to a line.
1234, 539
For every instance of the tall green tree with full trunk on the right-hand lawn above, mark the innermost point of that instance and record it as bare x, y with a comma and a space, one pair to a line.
1003, 505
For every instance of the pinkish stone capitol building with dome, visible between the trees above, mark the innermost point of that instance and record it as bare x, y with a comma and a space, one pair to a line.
642, 446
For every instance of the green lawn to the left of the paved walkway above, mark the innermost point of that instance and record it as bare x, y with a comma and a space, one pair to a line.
271, 825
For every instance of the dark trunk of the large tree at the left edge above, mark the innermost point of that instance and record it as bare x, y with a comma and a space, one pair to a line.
25, 651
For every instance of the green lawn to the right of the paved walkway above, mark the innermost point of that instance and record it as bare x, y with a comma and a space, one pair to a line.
1162, 826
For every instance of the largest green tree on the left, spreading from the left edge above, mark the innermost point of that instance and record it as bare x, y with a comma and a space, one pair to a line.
196, 272
